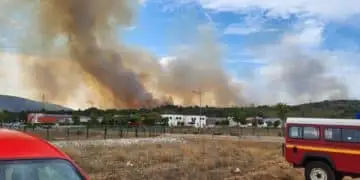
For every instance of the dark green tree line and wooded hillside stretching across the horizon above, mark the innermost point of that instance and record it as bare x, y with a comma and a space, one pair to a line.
325, 109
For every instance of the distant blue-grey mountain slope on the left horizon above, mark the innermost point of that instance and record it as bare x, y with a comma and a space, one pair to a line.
17, 104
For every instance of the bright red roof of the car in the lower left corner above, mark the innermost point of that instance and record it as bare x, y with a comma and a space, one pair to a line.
20, 145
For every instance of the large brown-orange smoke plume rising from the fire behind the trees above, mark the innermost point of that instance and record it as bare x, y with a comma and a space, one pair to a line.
67, 43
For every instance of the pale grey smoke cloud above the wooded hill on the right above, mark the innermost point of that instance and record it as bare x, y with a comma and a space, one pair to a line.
302, 76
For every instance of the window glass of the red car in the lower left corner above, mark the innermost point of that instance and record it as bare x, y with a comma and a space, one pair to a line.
48, 169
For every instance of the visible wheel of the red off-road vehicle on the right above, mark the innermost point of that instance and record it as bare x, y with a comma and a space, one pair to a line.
318, 170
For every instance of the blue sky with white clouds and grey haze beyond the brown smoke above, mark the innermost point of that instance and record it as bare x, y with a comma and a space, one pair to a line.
291, 51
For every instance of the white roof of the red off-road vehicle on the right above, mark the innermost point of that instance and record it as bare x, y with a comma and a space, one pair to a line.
323, 121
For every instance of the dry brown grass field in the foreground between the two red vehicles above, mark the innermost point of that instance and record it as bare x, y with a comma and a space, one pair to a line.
197, 159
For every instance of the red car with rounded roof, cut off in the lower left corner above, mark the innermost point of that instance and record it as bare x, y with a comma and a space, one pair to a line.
26, 157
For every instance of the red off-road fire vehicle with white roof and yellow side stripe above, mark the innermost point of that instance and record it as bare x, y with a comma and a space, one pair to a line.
328, 149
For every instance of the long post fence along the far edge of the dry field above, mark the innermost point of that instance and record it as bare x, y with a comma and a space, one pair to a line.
82, 133
